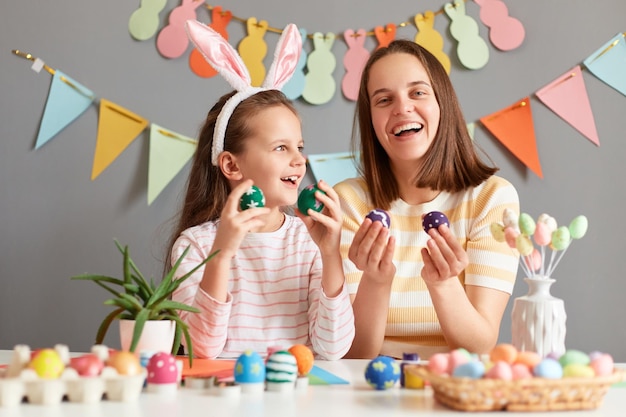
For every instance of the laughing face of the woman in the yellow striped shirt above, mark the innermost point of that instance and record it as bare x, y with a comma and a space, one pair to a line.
405, 112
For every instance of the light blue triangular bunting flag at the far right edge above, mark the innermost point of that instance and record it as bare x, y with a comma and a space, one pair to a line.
609, 63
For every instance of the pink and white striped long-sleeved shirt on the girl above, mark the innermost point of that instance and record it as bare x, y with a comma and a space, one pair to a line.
274, 296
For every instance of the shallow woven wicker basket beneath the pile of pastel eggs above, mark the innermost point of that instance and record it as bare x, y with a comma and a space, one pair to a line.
536, 394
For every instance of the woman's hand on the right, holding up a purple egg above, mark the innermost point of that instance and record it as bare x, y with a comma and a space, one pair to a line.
444, 256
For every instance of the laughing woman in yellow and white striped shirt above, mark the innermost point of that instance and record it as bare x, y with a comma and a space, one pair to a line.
412, 291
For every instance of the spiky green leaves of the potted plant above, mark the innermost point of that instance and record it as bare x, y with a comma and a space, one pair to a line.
140, 300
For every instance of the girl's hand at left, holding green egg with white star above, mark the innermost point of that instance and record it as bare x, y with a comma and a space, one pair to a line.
234, 224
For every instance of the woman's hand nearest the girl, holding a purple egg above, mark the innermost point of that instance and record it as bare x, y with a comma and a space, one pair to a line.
372, 251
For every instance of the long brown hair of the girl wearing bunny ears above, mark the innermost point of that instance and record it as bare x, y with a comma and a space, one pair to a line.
207, 188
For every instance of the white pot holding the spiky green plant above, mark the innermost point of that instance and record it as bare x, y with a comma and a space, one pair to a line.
157, 336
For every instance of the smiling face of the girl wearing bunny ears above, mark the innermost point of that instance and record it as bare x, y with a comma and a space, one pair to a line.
273, 156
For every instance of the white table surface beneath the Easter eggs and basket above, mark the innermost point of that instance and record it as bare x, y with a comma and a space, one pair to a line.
354, 399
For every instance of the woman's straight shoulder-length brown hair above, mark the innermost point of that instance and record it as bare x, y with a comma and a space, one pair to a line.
450, 164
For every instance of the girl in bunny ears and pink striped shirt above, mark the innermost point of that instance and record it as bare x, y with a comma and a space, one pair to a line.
277, 279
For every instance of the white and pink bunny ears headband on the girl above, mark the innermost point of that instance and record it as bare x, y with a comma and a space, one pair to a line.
221, 55
